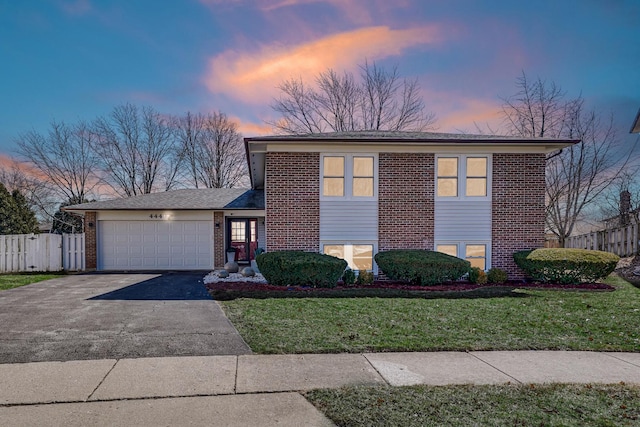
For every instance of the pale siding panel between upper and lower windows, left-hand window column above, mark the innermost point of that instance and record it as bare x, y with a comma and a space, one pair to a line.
349, 220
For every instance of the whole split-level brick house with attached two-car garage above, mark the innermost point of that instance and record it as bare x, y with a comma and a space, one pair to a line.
350, 195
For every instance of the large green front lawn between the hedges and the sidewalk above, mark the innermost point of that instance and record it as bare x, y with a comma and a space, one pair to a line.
515, 320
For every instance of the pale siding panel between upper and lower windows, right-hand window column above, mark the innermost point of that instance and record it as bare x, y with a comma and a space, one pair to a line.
458, 220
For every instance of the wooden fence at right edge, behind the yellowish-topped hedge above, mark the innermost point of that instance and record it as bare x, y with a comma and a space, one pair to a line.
622, 241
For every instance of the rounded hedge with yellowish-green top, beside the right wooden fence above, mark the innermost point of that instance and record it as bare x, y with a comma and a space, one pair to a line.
566, 266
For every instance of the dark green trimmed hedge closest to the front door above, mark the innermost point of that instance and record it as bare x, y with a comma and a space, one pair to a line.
296, 268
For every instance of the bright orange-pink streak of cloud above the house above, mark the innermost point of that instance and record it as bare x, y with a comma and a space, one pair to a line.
253, 77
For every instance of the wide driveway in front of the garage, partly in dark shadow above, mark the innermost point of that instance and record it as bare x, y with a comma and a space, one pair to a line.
113, 316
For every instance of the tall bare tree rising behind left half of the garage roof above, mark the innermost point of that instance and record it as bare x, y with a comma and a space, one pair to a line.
136, 149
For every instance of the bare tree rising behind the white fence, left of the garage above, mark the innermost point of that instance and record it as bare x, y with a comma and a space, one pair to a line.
63, 158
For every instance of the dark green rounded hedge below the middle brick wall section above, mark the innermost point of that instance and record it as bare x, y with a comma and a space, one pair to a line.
421, 267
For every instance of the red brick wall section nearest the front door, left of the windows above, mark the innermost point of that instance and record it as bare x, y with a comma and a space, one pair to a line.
293, 201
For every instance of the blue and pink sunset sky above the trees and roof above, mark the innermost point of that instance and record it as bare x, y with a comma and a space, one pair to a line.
68, 60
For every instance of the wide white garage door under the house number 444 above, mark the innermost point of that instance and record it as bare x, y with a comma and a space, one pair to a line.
155, 245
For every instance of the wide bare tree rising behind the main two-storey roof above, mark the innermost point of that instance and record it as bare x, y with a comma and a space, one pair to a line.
378, 100
